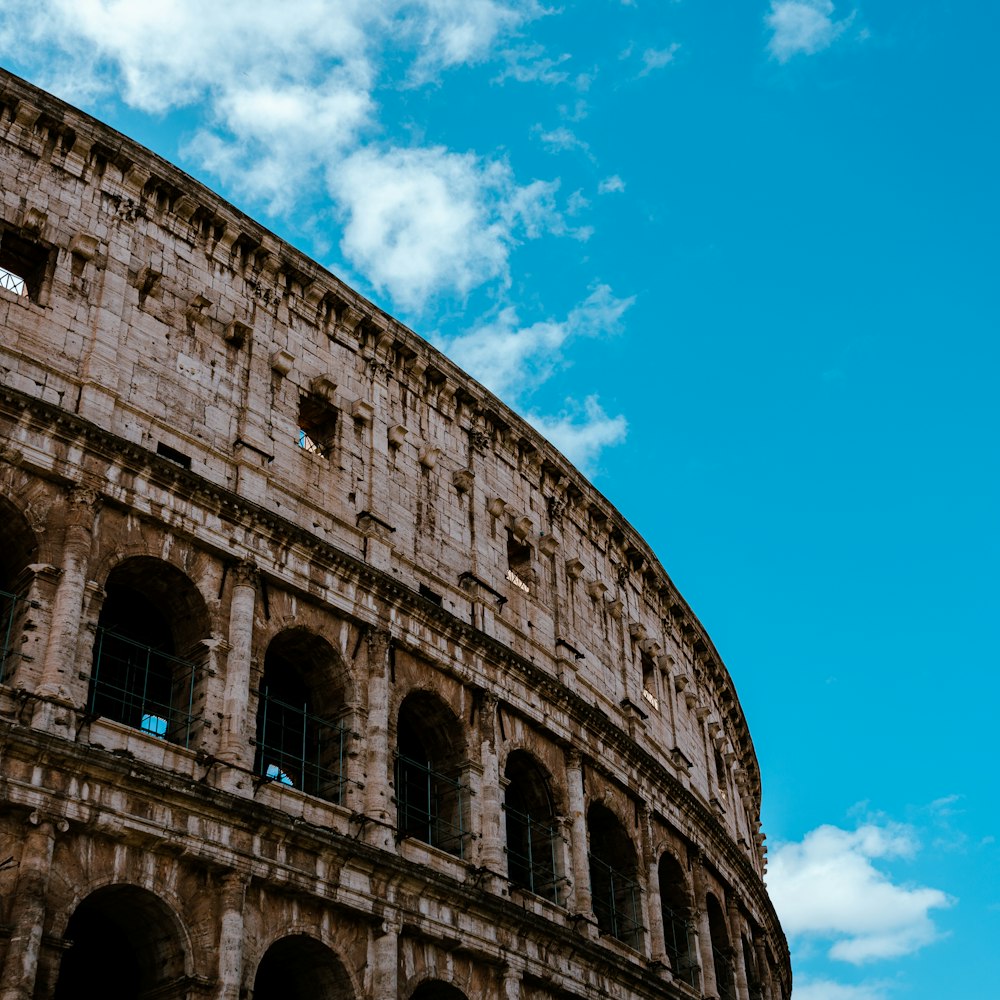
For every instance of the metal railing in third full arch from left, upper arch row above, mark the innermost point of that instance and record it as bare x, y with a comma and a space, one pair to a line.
429, 806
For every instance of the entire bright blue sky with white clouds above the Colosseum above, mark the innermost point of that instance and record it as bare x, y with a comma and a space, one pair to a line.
740, 262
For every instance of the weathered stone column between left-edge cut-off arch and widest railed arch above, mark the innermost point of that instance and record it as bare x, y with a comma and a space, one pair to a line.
59, 669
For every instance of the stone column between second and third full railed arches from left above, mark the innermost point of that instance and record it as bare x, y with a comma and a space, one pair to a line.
378, 807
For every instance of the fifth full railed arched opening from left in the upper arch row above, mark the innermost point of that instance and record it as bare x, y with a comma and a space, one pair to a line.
613, 884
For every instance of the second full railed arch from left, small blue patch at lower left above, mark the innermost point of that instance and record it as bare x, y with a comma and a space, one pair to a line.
301, 727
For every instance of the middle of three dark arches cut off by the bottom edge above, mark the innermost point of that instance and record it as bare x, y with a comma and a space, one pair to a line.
301, 968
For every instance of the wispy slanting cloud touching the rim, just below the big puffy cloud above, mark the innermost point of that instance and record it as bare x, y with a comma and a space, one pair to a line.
512, 360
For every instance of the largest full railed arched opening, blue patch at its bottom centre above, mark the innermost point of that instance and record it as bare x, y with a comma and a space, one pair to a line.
147, 652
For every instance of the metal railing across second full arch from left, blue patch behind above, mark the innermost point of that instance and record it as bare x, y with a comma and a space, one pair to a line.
297, 748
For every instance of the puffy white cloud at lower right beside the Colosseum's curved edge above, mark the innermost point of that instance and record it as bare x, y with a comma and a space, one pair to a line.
828, 888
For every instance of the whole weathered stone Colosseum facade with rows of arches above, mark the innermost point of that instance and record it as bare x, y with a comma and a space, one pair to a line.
323, 674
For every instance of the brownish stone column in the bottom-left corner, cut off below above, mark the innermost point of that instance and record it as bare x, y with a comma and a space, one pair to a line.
21, 964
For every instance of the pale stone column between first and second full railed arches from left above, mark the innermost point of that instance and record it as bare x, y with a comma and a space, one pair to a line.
235, 746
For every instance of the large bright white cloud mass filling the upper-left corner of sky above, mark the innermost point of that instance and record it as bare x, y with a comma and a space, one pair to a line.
287, 103
